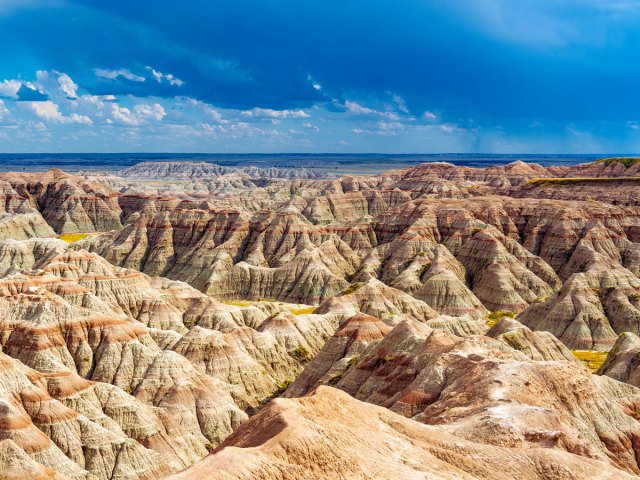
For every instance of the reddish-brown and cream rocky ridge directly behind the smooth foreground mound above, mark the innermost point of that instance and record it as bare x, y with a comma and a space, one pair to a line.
519, 390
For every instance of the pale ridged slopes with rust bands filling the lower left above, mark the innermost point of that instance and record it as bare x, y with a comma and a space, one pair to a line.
154, 369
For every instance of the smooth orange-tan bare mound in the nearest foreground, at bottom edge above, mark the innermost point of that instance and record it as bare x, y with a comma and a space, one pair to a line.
331, 435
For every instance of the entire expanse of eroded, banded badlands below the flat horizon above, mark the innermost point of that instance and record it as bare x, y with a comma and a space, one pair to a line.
189, 321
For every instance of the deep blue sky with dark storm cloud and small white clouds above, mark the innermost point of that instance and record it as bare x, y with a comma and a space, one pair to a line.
397, 76
